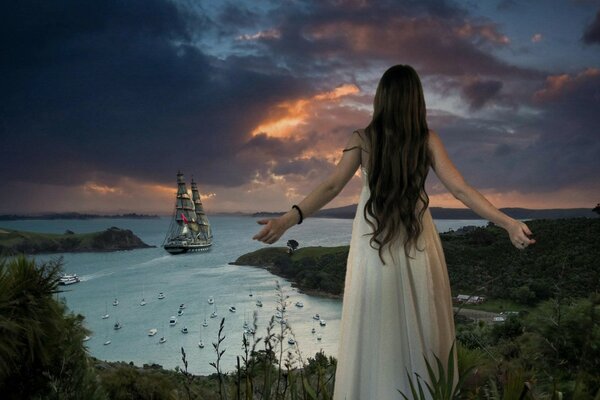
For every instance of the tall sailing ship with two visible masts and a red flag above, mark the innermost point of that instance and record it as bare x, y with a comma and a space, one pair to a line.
189, 229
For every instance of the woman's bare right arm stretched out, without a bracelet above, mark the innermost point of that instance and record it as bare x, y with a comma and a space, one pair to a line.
455, 183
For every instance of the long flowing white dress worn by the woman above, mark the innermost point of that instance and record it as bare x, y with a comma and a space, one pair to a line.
392, 315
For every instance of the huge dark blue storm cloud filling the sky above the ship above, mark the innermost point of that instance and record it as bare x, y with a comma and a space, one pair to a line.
115, 88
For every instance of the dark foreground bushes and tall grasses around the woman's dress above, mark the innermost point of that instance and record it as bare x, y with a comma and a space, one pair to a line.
550, 350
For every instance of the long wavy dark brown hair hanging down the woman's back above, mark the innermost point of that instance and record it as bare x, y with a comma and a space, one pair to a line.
399, 159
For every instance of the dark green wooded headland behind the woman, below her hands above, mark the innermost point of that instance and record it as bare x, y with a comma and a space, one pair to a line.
481, 261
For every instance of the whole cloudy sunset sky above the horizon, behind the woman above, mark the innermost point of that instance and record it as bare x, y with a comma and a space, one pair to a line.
102, 102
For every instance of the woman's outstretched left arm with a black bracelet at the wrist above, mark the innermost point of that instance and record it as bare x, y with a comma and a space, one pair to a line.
318, 198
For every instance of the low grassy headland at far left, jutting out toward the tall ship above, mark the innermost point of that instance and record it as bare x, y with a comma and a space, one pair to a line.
14, 242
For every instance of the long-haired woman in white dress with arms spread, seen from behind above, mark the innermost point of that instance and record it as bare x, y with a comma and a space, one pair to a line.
397, 308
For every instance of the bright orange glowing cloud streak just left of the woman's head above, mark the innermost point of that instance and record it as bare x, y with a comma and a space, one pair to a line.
289, 115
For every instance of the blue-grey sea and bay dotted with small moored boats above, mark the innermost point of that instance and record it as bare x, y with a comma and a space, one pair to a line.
190, 279
